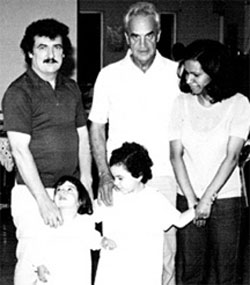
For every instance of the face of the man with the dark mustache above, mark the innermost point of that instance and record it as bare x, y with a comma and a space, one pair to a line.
47, 56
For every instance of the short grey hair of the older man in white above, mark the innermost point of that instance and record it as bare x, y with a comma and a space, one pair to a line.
142, 9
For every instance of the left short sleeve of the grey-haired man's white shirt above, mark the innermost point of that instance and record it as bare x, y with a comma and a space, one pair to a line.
100, 104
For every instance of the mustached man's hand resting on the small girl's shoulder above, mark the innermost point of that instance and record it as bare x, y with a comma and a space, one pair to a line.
50, 213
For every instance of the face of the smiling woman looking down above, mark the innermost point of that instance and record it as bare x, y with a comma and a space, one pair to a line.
196, 78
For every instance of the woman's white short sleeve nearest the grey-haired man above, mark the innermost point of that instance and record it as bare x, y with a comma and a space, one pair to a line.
176, 119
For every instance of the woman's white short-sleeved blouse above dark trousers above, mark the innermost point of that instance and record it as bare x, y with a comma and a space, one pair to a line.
204, 133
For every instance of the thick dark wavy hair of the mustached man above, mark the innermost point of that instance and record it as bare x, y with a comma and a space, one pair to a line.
50, 28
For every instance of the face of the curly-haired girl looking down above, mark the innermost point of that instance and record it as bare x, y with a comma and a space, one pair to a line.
123, 179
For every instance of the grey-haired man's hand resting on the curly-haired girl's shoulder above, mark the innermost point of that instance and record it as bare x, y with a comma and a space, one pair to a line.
105, 189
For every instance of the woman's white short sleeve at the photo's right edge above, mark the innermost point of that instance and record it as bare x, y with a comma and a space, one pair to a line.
240, 124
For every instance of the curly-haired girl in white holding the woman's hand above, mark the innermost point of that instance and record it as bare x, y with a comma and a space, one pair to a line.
135, 222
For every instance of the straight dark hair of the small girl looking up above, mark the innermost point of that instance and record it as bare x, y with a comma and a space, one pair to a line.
83, 195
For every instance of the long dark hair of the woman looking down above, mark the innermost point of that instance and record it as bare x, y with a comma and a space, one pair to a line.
215, 61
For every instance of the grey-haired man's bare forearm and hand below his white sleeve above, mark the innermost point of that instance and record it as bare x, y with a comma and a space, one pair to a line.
98, 144
